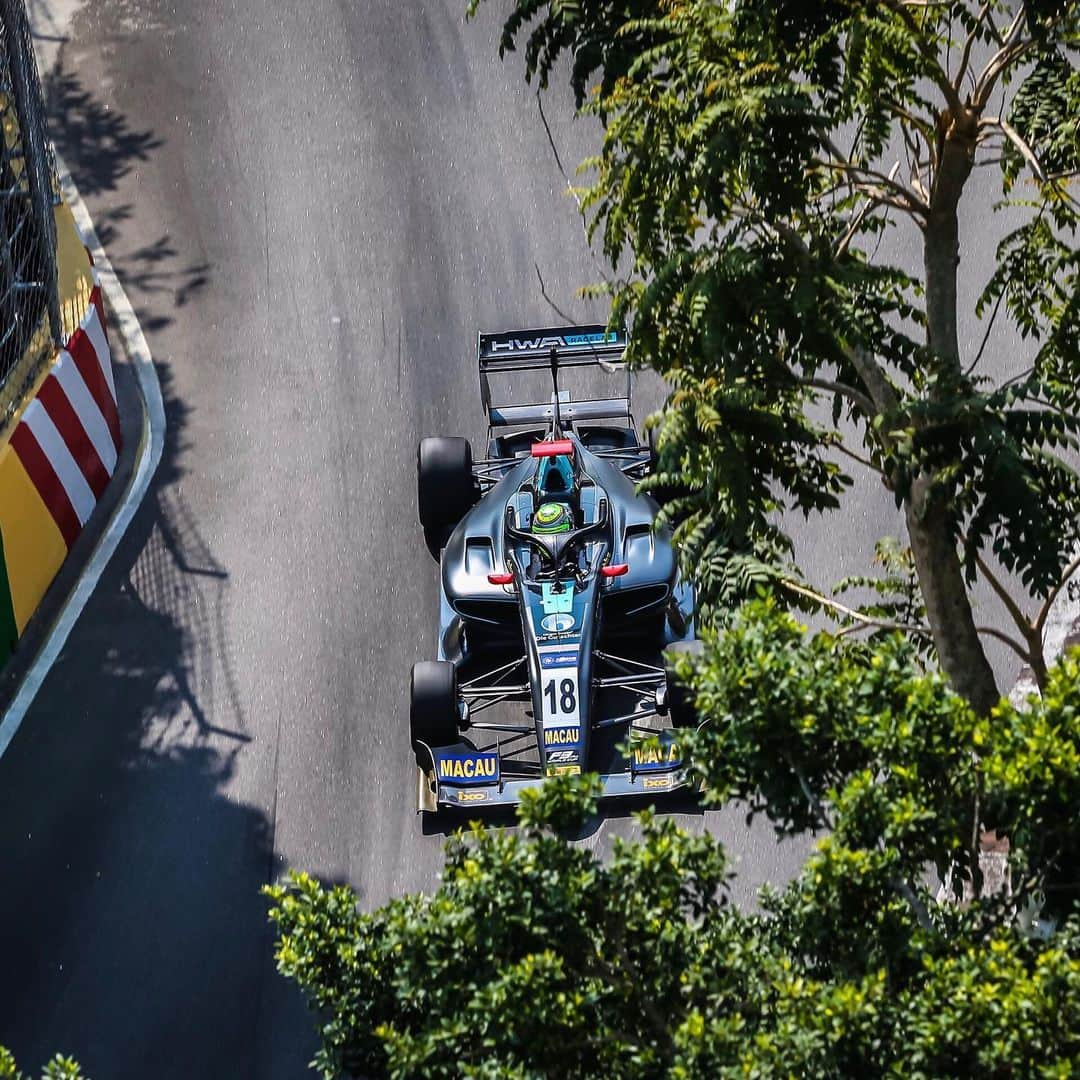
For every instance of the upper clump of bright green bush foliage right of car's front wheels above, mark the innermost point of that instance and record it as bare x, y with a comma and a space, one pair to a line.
858, 739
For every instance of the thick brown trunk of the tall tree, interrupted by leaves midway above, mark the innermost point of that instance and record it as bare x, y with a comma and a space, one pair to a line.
929, 528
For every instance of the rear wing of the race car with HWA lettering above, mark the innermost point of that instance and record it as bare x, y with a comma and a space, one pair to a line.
553, 349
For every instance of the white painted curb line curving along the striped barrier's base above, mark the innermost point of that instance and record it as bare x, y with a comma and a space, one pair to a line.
152, 442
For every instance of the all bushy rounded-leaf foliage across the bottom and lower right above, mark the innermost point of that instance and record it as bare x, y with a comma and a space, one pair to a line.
536, 958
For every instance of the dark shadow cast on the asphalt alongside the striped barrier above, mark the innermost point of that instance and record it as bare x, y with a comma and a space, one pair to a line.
136, 935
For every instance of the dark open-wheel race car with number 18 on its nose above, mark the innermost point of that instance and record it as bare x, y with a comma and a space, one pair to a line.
558, 592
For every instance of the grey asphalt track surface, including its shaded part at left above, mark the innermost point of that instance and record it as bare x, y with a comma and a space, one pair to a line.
314, 208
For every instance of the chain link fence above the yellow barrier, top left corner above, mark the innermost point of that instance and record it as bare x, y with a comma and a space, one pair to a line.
31, 326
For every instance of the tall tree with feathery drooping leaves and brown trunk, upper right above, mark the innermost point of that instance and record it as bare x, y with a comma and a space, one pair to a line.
754, 154
